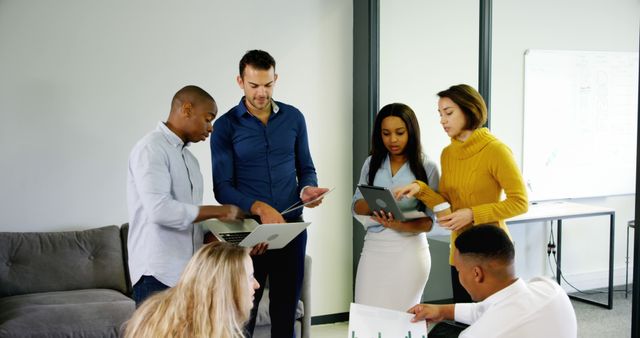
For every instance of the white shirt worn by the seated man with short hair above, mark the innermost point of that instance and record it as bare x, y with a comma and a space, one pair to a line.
539, 308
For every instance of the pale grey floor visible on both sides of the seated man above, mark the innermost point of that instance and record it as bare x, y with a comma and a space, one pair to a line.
593, 321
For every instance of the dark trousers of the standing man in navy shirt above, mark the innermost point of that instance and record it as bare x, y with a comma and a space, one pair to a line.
285, 270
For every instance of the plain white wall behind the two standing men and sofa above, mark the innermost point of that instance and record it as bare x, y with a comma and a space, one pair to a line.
82, 81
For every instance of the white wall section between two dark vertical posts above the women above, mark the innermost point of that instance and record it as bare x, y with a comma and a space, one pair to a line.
423, 50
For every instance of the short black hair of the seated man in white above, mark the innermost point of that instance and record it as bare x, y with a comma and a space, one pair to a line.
486, 242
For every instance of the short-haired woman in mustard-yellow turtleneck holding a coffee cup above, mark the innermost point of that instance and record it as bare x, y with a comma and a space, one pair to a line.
476, 168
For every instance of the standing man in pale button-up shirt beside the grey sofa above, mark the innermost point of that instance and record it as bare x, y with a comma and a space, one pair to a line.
164, 193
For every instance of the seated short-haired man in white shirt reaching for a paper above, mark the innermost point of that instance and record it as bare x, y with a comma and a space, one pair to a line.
506, 306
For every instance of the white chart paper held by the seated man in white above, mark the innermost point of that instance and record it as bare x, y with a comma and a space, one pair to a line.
374, 322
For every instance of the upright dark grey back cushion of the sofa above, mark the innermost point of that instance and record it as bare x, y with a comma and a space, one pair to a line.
59, 261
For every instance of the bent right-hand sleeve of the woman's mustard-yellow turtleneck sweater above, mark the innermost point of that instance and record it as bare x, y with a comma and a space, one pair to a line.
505, 170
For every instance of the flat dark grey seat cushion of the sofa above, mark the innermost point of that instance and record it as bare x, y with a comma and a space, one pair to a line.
79, 313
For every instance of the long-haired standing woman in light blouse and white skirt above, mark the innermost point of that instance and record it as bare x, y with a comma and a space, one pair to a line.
395, 261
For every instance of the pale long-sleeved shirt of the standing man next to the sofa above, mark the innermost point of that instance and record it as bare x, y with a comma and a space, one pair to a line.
164, 191
